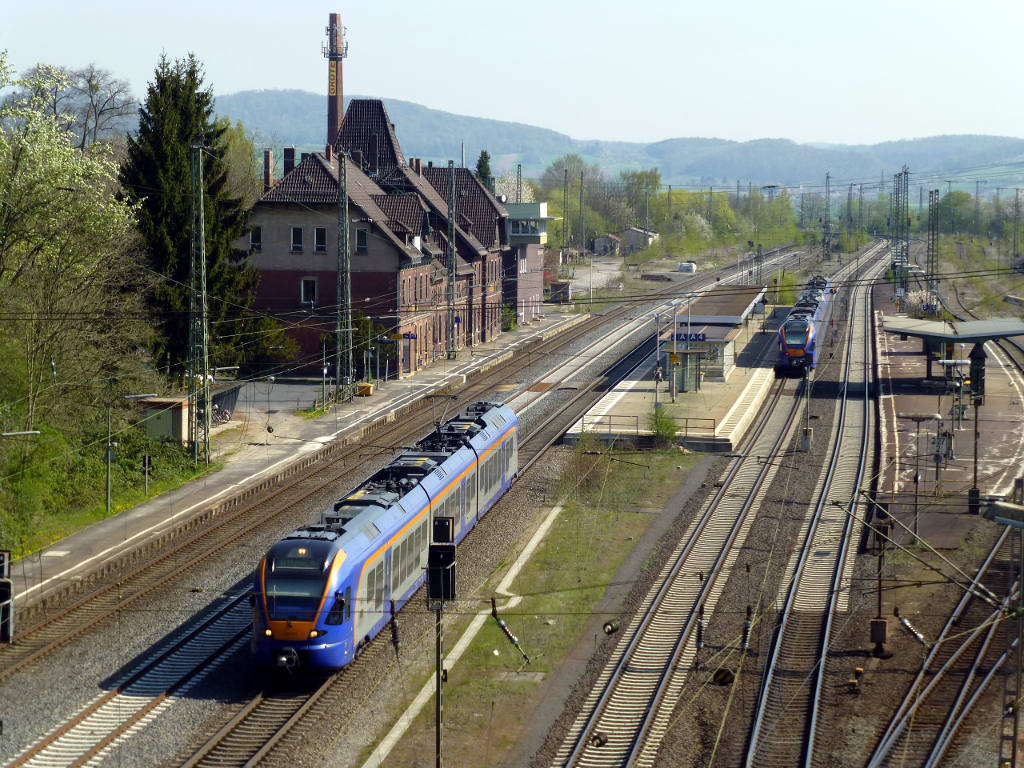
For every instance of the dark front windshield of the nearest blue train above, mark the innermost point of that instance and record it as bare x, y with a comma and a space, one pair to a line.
295, 578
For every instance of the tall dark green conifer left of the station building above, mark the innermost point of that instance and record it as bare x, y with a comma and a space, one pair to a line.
177, 114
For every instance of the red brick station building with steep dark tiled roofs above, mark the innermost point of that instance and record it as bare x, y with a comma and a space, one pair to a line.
398, 216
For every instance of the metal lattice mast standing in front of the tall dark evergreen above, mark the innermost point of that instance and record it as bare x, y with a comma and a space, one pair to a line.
199, 358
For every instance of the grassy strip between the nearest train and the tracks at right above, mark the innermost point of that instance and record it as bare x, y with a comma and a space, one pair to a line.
609, 502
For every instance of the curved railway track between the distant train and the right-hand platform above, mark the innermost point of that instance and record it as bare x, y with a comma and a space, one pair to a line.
787, 714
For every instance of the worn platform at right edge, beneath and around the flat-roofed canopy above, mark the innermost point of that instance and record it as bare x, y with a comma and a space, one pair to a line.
941, 452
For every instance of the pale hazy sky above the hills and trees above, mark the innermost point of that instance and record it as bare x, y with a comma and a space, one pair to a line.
857, 72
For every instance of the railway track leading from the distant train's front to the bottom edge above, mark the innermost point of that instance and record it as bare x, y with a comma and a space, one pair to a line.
623, 719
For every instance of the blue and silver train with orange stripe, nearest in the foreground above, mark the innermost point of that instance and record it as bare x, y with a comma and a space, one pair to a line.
326, 590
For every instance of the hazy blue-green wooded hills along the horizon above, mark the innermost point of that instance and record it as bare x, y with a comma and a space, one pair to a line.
298, 118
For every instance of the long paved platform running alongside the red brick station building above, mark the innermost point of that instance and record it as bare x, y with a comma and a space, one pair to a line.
265, 437
